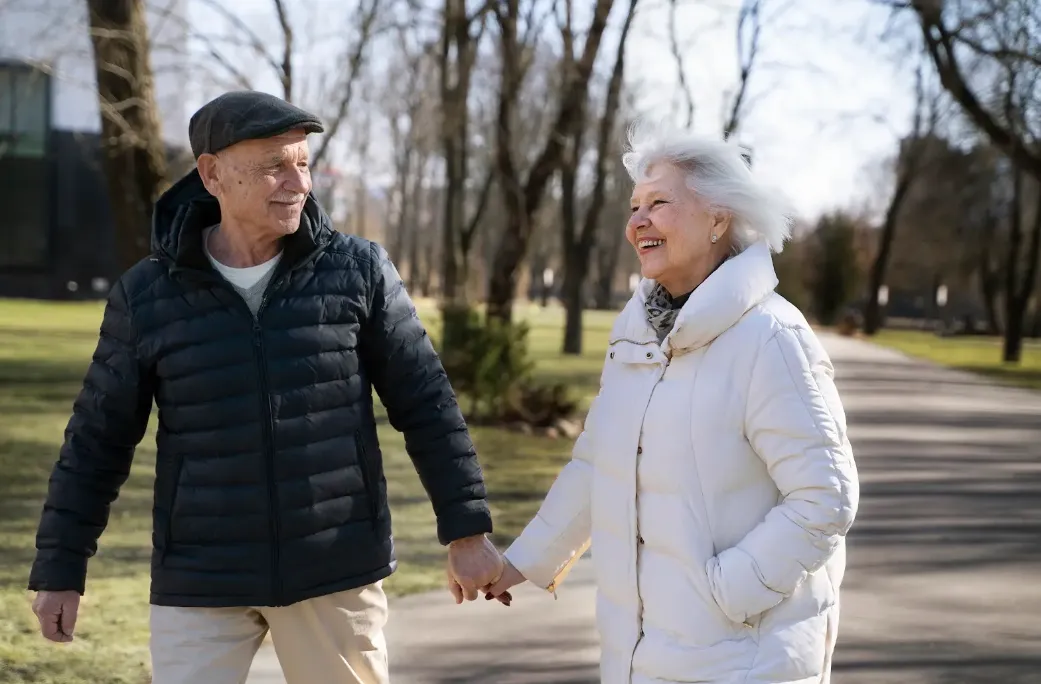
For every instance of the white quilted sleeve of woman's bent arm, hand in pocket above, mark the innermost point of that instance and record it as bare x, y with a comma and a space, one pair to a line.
796, 423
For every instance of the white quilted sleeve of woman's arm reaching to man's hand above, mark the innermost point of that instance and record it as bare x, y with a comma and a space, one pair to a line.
560, 534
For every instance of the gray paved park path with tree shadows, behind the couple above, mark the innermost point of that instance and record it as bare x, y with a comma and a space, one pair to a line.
945, 578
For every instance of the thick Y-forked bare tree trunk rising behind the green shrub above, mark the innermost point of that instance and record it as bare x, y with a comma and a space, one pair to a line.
522, 194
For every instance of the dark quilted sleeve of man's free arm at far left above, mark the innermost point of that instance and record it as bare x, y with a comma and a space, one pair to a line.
109, 421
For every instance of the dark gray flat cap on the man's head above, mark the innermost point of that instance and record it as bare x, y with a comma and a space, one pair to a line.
243, 116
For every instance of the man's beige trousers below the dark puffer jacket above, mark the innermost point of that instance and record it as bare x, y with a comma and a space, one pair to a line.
333, 640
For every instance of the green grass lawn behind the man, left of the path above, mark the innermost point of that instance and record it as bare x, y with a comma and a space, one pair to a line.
44, 351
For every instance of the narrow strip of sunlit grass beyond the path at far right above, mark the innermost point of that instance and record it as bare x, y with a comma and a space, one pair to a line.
970, 353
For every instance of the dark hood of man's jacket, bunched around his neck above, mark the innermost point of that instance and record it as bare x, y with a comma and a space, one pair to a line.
188, 209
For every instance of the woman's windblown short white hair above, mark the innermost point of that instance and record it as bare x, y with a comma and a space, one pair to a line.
721, 174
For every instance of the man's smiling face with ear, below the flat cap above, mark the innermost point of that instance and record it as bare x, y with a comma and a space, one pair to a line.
261, 185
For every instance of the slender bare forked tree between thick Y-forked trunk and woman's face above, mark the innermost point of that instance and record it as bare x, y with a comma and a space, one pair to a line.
577, 245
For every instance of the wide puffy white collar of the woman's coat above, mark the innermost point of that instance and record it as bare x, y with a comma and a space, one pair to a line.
735, 288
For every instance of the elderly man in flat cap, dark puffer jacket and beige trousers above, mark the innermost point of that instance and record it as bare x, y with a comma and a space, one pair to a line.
261, 333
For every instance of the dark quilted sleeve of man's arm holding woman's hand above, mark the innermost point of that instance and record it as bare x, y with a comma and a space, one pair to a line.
412, 383
